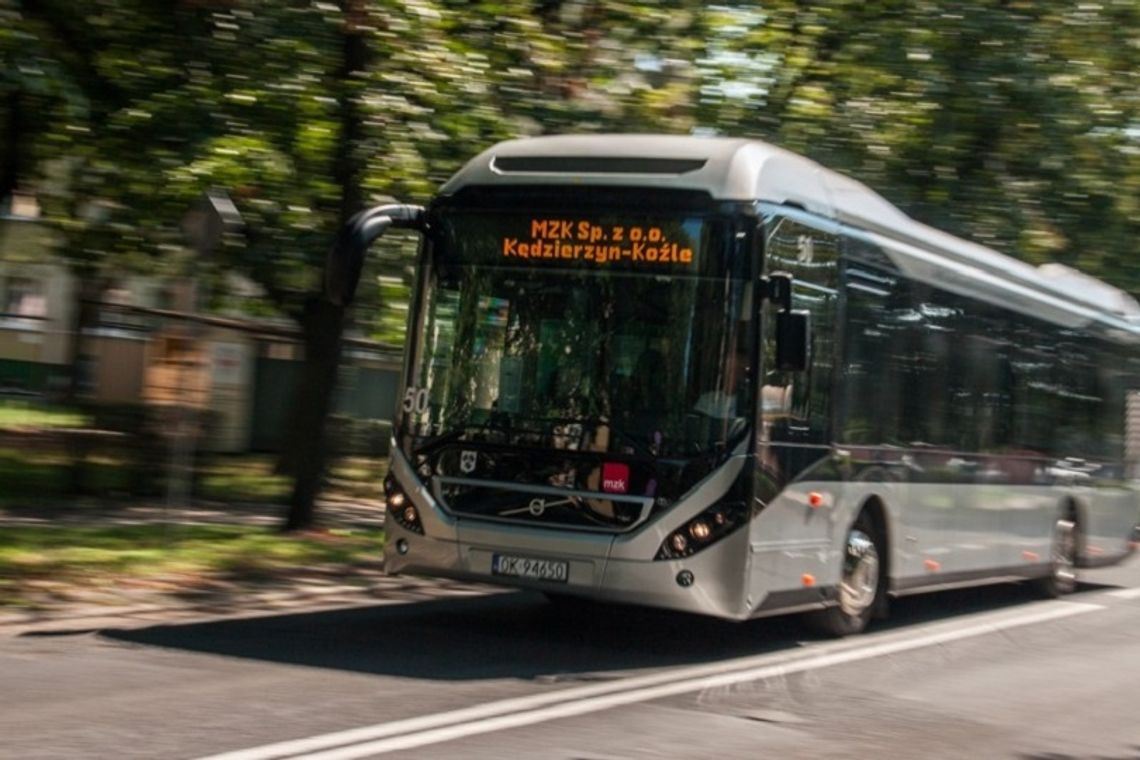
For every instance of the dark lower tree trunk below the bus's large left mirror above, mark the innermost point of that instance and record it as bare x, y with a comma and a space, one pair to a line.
322, 328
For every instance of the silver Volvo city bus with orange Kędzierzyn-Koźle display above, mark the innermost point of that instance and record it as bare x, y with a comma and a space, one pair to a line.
712, 375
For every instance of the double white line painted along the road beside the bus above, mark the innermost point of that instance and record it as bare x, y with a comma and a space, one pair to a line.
565, 704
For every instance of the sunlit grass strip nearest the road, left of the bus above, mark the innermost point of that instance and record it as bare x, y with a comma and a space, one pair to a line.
189, 557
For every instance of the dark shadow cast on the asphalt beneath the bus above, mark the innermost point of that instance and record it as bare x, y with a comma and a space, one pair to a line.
520, 635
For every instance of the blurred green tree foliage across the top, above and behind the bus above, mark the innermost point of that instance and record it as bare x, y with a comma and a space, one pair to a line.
1014, 124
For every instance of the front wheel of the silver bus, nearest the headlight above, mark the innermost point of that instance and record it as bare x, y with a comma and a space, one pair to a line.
861, 585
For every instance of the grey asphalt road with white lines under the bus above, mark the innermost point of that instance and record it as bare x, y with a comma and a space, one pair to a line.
987, 673
